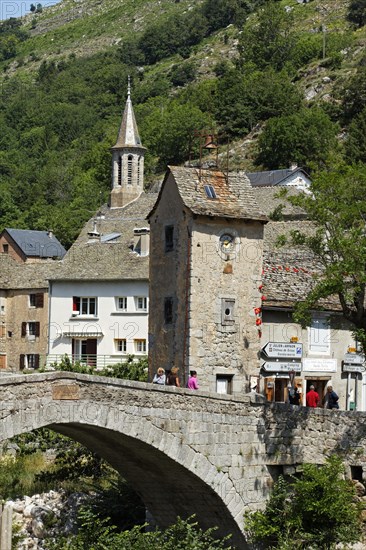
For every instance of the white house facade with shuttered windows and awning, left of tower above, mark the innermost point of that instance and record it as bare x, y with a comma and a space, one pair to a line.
98, 322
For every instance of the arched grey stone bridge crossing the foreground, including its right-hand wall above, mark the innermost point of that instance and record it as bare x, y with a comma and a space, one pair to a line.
184, 452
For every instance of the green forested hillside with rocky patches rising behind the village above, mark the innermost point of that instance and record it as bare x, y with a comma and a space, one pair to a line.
281, 82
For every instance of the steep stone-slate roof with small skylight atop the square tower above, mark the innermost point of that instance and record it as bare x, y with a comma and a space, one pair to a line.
234, 195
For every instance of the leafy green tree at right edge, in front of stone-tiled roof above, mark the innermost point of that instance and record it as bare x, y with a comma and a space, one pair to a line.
338, 208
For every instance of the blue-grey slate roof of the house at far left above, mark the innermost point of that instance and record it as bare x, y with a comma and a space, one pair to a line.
39, 244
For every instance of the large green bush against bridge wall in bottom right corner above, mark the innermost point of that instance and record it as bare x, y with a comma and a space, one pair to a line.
317, 510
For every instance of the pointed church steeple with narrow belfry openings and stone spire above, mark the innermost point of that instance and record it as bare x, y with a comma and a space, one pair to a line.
127, 159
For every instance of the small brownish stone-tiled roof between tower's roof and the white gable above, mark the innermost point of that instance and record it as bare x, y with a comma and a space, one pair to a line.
271, 199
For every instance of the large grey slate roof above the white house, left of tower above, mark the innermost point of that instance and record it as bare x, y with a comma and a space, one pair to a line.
91, 258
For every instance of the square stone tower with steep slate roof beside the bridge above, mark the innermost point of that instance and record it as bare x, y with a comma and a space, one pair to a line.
207, 239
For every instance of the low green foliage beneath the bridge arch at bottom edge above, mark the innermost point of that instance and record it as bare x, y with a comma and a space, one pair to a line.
97, 534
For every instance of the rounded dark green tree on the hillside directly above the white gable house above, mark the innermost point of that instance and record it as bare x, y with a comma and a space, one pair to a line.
306, 138
